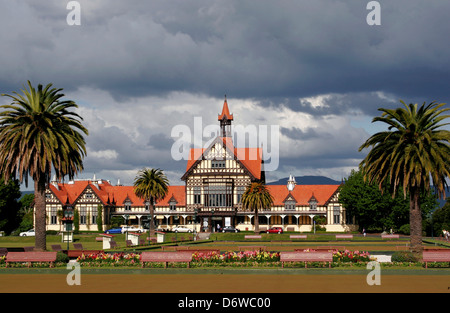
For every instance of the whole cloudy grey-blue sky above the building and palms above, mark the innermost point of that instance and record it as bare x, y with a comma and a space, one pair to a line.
315, 69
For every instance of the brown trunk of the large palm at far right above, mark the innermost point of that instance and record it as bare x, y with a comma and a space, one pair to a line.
415, 222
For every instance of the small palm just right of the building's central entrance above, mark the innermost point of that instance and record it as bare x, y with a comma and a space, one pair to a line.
256, 197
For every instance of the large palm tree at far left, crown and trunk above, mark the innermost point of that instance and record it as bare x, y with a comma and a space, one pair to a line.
39, 134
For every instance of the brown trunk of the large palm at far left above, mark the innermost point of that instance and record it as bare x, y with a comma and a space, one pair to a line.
40, 216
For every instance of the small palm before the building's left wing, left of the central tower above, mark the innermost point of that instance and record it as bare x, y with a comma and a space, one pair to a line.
151, 185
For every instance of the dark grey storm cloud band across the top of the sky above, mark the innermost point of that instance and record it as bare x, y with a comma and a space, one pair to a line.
254, 49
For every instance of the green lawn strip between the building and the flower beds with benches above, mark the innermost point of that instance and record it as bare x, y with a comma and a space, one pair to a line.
232, 241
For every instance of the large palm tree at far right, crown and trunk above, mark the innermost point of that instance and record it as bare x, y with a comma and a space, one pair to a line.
411, 153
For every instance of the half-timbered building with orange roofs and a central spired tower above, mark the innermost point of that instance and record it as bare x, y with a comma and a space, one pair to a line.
214, 181
